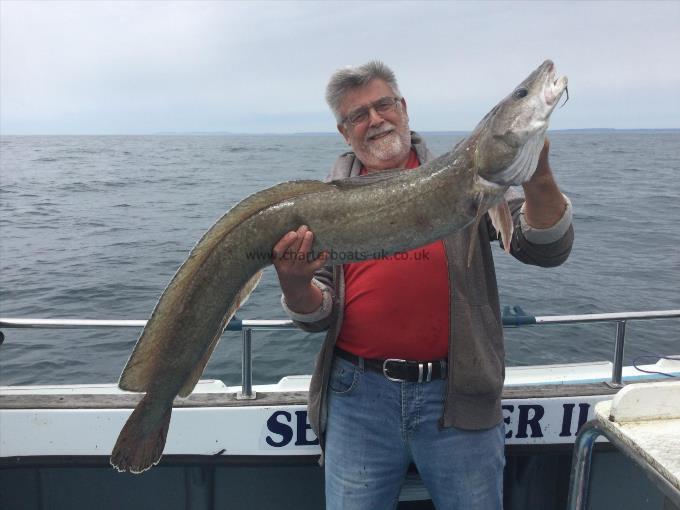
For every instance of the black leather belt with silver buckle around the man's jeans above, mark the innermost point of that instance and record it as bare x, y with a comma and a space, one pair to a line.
400, 370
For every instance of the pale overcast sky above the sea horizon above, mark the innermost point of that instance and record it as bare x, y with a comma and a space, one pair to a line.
96, 67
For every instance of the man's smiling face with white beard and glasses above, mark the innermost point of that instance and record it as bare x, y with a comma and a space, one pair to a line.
382, 141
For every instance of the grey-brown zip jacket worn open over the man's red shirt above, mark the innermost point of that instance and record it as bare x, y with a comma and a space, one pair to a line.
476, 367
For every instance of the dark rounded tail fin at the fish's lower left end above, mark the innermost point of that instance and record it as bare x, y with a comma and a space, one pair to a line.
141, 441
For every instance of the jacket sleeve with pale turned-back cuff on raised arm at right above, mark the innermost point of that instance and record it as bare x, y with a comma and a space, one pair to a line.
548, 247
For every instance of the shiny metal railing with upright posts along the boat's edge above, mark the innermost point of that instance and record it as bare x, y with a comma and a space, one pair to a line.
512, 317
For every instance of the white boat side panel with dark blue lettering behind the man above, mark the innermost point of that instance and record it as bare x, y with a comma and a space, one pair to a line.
543, 406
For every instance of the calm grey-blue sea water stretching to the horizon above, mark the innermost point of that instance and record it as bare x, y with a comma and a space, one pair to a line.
94, 228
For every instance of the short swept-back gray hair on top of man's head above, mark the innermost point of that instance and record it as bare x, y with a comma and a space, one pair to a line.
350, 78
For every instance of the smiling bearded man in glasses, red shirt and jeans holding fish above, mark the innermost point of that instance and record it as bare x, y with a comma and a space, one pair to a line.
375, 413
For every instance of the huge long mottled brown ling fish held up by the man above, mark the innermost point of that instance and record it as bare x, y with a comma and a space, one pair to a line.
376, 214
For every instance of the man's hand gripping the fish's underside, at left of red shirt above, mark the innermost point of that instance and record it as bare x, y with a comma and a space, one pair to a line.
295, 269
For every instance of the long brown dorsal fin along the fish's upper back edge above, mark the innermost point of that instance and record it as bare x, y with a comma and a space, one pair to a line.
139, 370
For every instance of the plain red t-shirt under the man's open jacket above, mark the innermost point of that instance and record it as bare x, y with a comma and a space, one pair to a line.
398, 307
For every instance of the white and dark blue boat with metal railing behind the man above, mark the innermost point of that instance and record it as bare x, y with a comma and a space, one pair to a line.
251, 446
